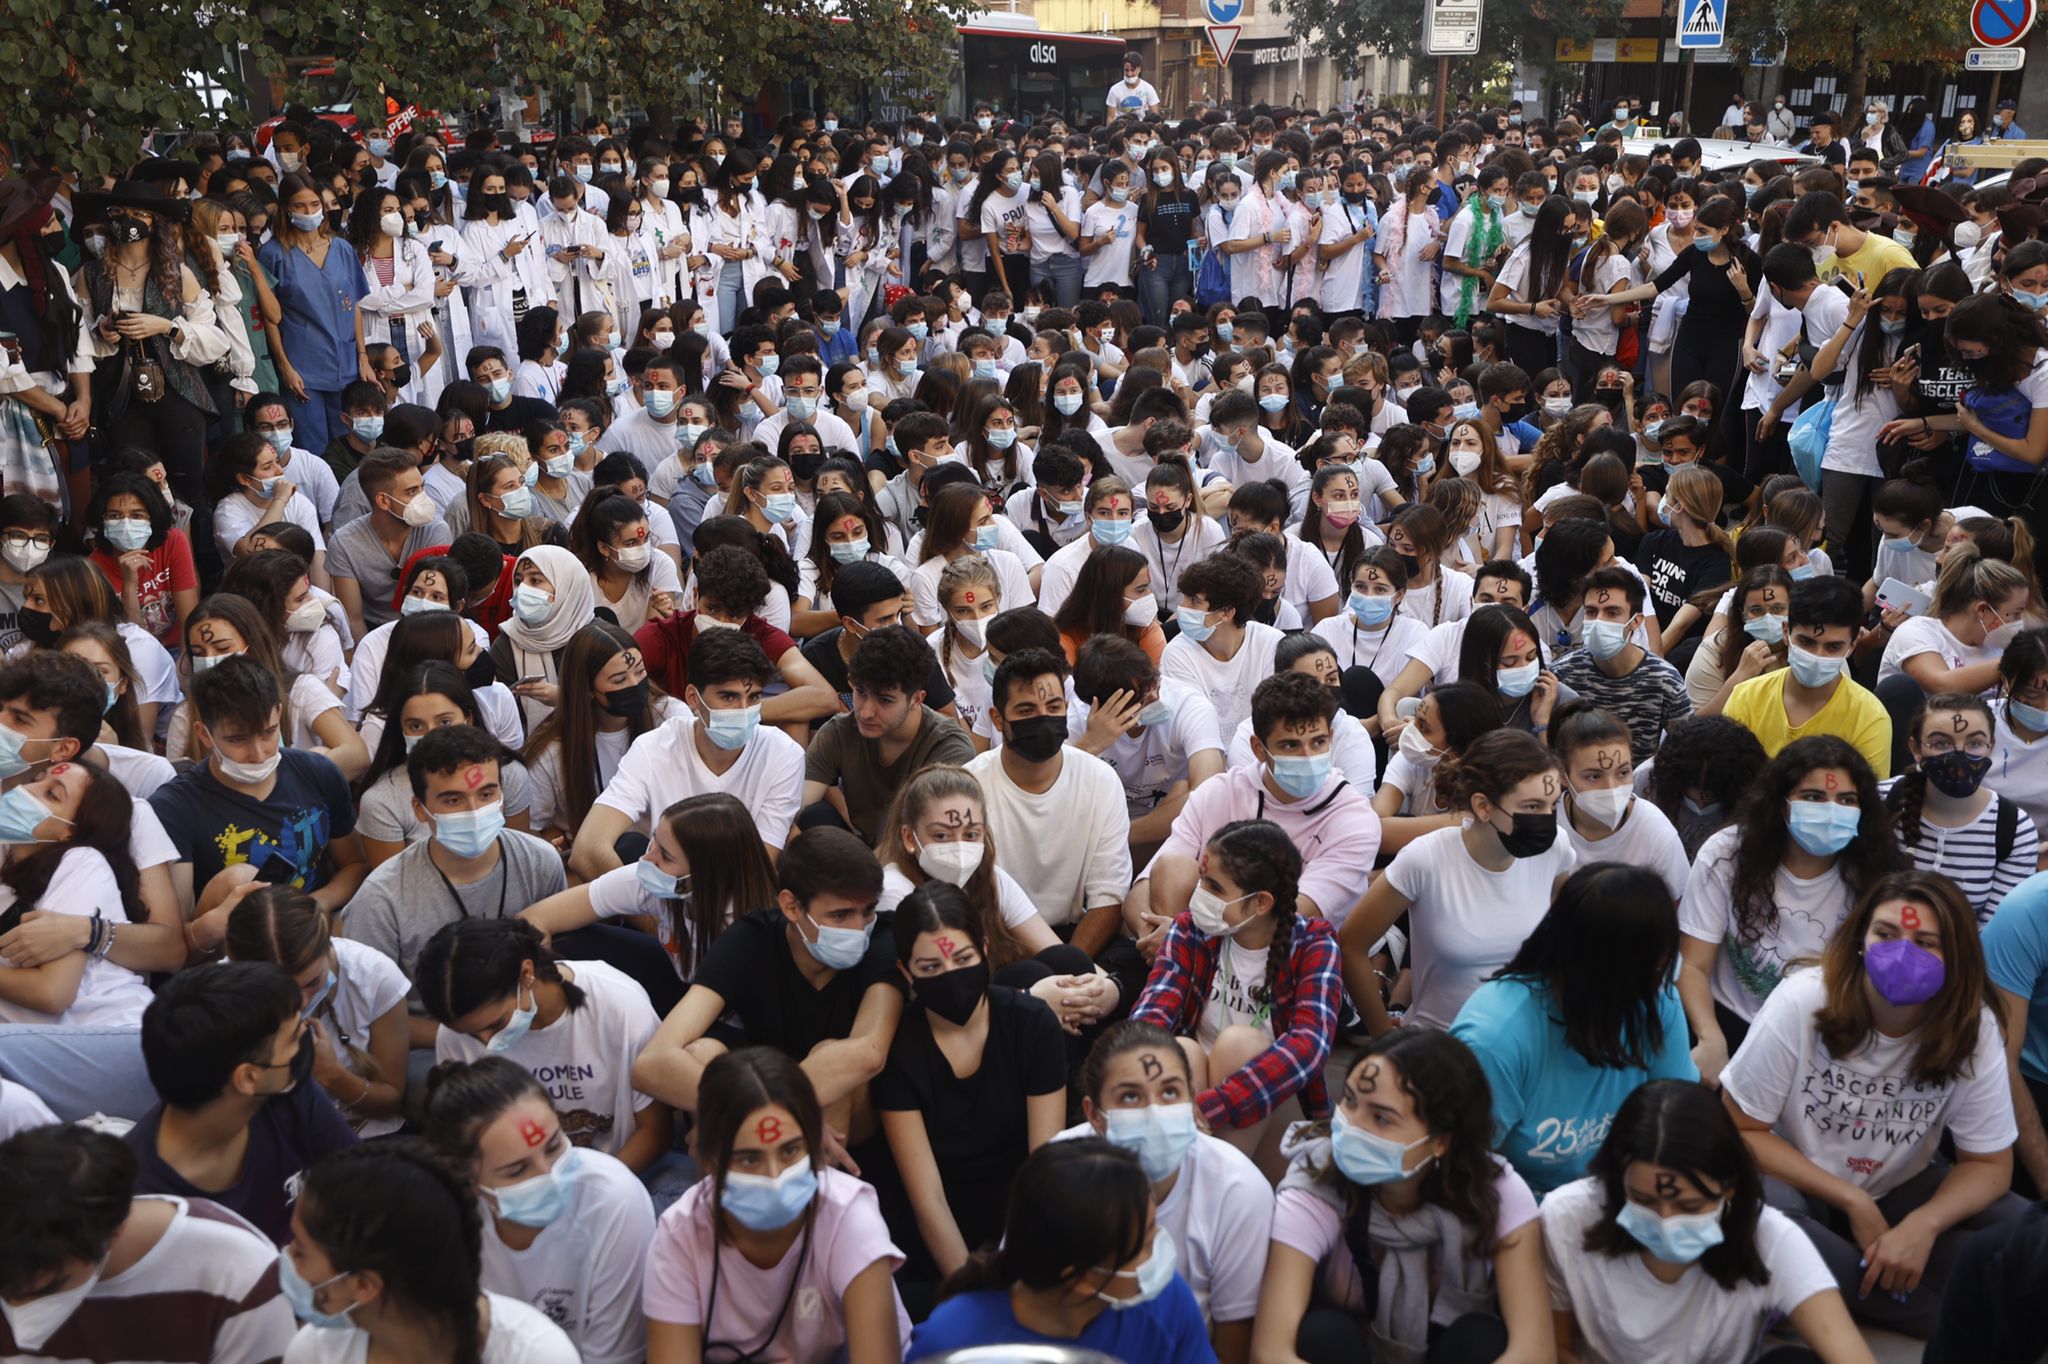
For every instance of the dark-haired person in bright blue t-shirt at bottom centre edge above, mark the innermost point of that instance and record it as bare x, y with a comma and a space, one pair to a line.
1082, 1263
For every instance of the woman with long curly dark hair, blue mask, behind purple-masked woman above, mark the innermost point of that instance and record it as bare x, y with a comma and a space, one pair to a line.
1775, 886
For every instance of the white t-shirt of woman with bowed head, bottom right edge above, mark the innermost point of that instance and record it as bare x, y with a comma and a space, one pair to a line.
1629, 1316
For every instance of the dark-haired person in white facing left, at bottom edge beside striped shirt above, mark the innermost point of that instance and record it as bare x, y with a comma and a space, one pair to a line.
386, 1252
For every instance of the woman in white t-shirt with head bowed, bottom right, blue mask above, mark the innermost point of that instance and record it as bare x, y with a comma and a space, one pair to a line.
1668, 1254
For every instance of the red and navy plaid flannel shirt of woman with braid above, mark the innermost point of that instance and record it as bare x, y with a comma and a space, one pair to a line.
1306, 1007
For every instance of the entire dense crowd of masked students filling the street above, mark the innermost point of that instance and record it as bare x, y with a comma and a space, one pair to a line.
1252, 738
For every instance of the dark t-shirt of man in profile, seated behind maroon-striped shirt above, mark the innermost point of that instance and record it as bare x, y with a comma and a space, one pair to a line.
286, 1136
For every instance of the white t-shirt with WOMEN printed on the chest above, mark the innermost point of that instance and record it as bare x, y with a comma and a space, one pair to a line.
585, 1058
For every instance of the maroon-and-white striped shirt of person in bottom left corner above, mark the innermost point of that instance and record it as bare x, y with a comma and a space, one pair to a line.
204, 1293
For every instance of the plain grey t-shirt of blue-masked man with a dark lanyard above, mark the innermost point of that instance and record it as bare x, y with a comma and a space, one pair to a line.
404, 902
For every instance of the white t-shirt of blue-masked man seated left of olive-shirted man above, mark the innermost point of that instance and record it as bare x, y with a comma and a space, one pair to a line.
665, 767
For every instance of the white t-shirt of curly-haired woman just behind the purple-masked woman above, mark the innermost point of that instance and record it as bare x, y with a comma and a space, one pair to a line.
1746, 974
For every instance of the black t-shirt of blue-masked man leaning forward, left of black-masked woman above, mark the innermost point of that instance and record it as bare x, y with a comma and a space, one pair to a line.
753, 970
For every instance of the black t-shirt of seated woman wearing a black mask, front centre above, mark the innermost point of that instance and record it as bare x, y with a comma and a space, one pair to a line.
978, 1123
